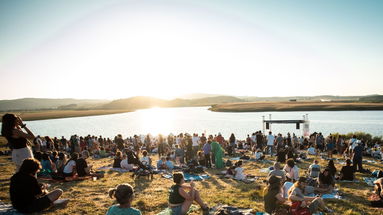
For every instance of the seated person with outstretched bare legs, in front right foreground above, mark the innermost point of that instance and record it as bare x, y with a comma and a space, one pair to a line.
296, 196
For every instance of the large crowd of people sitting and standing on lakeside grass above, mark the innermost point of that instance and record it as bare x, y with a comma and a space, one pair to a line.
61, 158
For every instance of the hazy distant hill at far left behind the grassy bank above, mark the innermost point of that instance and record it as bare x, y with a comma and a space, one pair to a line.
39, 104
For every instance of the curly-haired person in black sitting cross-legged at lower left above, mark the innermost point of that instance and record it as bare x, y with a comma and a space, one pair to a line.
27, 195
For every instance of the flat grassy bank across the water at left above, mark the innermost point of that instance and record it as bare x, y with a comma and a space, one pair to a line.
56, 114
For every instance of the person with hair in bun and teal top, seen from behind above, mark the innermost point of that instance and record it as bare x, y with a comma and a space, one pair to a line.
123, 193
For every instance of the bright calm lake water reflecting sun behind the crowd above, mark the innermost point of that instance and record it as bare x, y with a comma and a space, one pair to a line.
200, 119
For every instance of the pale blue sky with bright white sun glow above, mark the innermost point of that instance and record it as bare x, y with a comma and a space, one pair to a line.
118, 49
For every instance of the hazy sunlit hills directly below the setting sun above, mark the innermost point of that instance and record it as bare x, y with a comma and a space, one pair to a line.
141, 102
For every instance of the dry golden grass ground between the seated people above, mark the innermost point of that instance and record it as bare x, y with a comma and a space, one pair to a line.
90, 197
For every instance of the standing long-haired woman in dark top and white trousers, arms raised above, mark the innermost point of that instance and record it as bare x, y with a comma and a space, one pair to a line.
12, 130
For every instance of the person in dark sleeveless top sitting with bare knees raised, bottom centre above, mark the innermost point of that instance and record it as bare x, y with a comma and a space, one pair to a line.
181, 196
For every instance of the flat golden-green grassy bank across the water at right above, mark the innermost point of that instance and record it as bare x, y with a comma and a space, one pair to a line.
295, 106
